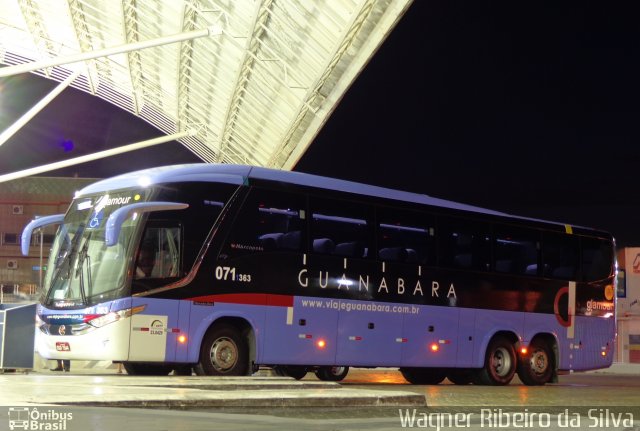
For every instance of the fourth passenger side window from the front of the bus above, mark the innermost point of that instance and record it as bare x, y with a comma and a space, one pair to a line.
464, 244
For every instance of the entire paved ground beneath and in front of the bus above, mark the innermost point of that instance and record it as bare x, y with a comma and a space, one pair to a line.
74, 401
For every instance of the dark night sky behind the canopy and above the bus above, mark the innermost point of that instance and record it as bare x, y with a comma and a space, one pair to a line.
528, 108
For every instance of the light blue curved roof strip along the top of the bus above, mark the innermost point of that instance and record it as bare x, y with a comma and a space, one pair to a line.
243, 174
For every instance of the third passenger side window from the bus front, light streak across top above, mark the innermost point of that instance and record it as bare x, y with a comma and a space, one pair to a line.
405, 236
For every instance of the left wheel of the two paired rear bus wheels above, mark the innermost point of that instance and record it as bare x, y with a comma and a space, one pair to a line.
499, 365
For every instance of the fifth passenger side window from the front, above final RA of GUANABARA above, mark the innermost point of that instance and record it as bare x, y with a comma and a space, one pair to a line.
516, 250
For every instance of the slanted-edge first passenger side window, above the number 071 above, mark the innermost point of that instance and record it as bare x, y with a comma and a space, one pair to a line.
268, 221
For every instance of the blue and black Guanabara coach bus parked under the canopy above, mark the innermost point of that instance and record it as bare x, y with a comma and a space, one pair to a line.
222, 269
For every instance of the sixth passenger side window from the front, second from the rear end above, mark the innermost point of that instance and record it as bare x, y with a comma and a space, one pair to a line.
560, 254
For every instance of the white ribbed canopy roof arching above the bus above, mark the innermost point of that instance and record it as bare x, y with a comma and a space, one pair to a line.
235, 81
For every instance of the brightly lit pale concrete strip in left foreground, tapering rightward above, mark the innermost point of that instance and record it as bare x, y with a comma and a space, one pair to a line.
178, 392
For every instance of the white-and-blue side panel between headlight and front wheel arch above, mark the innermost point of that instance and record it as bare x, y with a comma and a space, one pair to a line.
152, 331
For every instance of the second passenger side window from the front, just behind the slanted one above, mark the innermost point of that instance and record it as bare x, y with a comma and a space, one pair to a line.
340, 228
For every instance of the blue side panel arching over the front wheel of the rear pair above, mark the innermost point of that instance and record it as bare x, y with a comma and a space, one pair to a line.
488, 323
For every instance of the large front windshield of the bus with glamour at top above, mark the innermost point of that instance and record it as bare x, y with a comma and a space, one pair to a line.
82, 270
